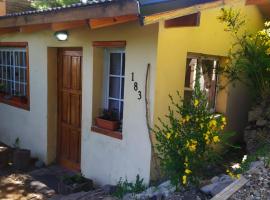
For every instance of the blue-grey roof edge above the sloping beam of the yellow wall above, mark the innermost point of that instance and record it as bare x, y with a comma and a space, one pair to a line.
151, 7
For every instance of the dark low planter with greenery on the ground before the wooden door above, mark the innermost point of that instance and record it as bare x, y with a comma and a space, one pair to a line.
73, 184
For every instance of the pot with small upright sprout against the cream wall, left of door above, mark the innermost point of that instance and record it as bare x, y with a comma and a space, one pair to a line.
21, 157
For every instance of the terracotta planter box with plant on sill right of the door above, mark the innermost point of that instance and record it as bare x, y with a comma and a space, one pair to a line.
108, 120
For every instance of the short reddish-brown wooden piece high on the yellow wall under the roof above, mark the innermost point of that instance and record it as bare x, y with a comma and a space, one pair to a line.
185, 21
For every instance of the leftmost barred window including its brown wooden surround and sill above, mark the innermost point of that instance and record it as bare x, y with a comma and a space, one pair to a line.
14, 86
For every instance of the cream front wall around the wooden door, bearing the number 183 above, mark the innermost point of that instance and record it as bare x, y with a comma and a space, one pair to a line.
103, 158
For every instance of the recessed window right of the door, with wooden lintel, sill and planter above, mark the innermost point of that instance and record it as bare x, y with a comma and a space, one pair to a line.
108, 87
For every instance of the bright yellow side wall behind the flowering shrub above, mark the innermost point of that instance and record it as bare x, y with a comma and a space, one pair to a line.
209, 38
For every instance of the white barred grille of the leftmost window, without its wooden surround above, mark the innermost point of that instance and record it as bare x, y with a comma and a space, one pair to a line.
12, 63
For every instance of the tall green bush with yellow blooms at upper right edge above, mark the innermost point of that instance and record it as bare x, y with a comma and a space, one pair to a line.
248, 58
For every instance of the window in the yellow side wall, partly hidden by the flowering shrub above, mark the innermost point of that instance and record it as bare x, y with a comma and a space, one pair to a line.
208, 77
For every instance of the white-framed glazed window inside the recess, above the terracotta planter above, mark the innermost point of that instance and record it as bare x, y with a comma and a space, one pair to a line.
114, 81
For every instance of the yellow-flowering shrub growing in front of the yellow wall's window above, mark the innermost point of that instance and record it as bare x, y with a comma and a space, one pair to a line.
185, 140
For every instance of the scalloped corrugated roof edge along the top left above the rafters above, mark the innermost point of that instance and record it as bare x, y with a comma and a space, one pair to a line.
76, 5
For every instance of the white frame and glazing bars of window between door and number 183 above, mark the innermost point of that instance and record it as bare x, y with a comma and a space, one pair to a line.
107, 76
